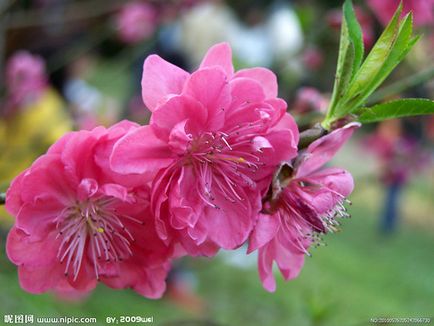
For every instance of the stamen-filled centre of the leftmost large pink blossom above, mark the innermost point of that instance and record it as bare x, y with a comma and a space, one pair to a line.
93, 227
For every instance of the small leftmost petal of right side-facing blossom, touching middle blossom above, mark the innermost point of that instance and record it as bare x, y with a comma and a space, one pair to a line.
265, 229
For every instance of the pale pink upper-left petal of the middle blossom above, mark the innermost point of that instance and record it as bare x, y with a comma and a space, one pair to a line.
160, 79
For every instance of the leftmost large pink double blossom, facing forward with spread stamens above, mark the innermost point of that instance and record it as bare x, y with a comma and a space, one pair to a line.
77, 222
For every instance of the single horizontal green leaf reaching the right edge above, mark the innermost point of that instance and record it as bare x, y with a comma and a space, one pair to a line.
396, 109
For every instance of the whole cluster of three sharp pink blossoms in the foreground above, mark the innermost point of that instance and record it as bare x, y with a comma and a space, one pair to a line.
118, 205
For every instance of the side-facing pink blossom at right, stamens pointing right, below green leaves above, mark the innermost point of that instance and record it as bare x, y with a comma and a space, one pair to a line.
304, 208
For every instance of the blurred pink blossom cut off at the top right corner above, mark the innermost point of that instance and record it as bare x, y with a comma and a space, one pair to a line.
423, 10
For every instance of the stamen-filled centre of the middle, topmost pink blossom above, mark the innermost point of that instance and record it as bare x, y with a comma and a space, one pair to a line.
224, 162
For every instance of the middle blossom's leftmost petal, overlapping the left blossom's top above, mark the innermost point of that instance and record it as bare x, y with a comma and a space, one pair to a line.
140, 152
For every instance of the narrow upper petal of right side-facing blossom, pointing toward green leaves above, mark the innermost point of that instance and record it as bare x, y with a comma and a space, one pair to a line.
322, 150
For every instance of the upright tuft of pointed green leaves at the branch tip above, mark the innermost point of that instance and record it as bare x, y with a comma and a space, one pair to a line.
355, 83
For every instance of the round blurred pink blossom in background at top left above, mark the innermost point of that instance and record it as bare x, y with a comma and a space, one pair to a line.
136, 22
